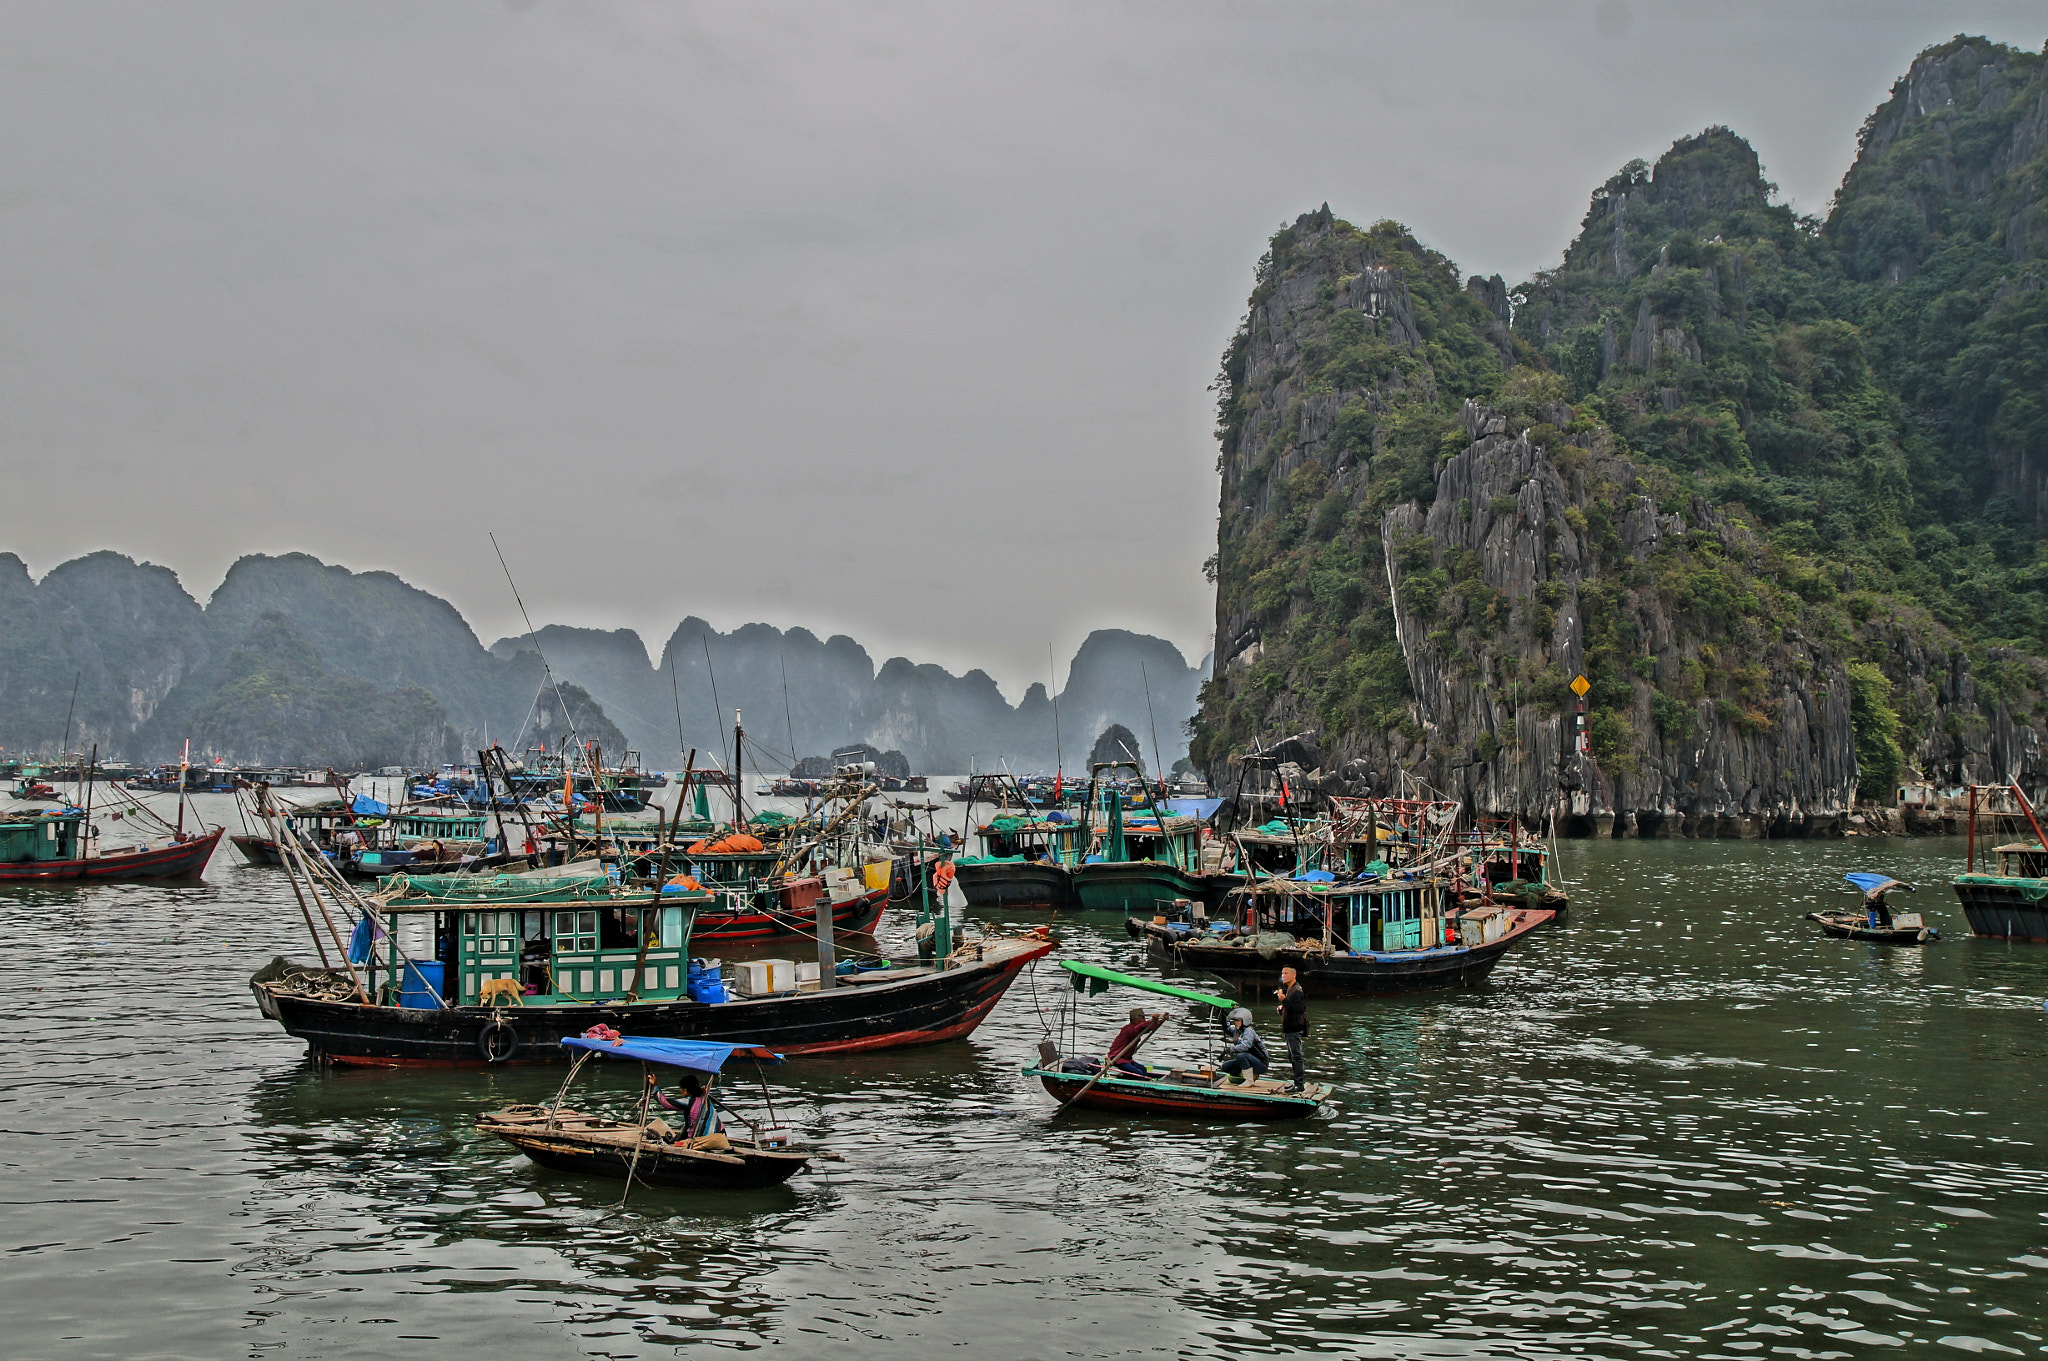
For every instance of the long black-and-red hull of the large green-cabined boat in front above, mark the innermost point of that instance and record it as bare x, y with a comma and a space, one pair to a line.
871, 1014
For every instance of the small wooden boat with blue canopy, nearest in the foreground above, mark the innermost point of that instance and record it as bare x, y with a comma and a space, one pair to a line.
648, 1149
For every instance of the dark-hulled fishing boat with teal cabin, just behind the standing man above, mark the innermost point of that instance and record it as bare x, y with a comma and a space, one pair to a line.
1357, 938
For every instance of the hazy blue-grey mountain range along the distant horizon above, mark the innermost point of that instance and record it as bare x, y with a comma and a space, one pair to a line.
302, 662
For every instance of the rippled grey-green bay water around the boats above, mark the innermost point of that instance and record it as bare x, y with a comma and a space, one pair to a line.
1680, 1127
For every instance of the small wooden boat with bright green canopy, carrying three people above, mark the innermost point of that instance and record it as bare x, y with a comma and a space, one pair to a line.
1197, 1092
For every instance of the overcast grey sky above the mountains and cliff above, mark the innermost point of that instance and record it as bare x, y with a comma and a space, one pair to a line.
880, 318
